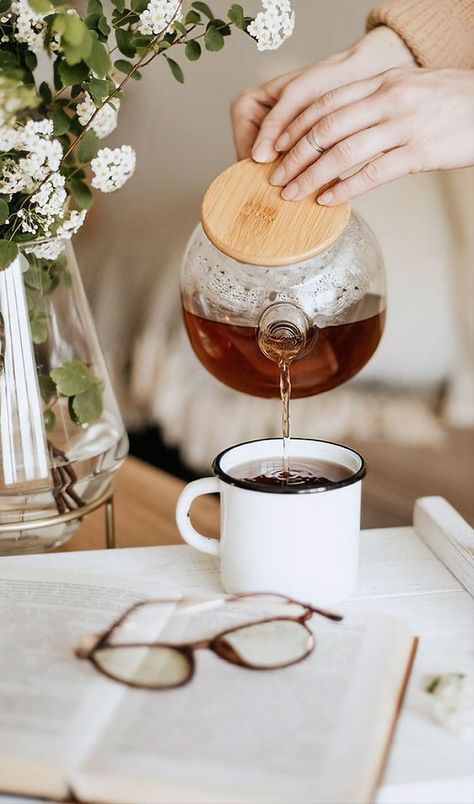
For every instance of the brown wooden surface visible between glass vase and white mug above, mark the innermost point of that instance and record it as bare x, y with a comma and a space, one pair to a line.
145, 502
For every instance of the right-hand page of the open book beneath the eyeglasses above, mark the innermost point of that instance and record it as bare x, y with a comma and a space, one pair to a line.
304, 733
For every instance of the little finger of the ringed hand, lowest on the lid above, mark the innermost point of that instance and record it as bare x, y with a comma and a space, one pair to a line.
388, 167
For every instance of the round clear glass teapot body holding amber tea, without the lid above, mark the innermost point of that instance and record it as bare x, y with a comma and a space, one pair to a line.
340, 291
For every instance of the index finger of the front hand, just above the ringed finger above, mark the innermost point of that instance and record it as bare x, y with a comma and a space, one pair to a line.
323, 106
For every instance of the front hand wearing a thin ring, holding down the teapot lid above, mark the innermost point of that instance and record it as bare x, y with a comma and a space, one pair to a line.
402, 121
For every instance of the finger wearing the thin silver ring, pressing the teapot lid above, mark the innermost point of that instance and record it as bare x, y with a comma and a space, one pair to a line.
333, 128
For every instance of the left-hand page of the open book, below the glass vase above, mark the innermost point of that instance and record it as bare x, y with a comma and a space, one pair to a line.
52, 706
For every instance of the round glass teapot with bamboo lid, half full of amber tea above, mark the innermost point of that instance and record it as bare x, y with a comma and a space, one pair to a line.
303, 285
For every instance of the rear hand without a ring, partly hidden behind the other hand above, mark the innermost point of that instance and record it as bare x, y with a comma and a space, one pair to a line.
261, 114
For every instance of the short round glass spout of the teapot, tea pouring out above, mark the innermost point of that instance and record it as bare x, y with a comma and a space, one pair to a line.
284, 333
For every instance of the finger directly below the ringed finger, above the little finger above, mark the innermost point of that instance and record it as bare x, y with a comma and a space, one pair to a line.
344, 156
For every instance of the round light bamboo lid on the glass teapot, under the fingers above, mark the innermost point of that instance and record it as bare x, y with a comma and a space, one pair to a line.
246, 218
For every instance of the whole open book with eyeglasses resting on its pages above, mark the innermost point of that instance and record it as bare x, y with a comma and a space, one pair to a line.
318, 731
